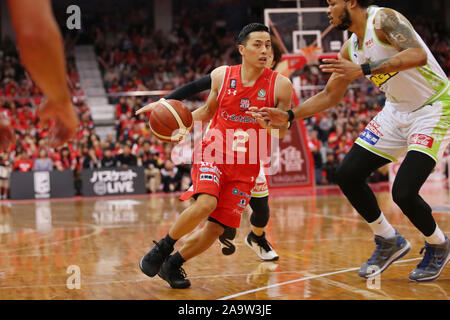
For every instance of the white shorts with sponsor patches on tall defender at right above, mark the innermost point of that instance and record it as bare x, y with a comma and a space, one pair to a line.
393, 133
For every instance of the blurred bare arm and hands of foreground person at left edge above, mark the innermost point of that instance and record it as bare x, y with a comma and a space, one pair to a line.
42, 54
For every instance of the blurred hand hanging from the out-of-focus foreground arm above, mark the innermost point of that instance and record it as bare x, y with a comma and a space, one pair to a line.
66, 121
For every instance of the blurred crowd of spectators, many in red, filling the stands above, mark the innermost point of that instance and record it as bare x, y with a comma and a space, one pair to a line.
133, 57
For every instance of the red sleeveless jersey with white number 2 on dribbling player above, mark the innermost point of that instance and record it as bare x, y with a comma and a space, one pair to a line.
233, 136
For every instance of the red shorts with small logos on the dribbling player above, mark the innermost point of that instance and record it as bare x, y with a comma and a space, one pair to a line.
230, 184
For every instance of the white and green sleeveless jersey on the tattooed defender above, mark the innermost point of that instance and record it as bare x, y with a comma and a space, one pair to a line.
405, 90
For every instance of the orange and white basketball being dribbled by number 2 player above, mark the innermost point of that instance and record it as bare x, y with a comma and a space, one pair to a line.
171, 121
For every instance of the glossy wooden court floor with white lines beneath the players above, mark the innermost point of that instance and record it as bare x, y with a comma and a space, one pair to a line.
46, 246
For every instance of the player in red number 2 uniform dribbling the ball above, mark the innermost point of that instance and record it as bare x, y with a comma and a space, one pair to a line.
222, 189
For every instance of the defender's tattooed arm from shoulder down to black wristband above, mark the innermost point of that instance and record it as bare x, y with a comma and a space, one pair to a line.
393, 28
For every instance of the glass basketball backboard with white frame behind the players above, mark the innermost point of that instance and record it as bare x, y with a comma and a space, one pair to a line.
298, 28
